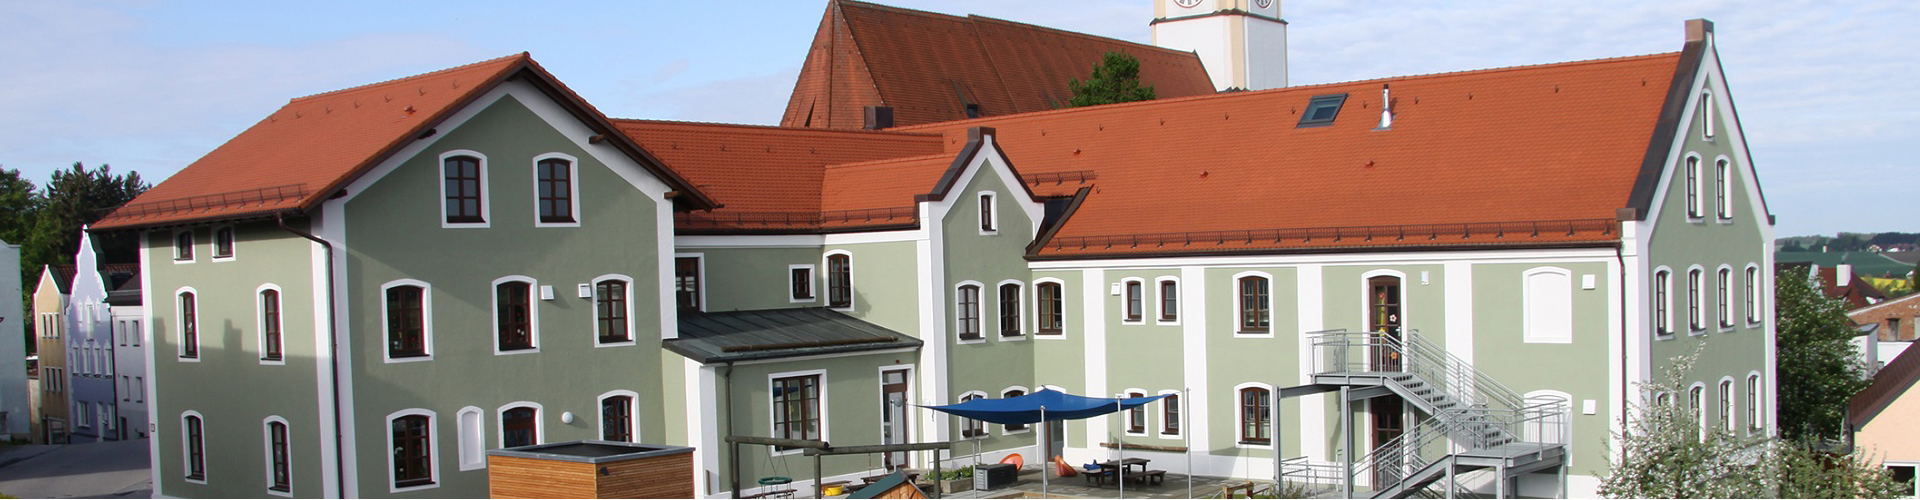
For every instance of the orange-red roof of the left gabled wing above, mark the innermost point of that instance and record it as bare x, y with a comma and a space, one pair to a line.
300, 155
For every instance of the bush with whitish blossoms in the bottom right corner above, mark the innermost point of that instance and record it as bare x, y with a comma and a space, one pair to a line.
1666, 455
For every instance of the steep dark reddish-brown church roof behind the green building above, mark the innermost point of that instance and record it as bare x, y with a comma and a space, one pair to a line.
928, 66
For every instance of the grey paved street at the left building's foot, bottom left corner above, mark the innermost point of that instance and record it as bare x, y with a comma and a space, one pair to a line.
93, 470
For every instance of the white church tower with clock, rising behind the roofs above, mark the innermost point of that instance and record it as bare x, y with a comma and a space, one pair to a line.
1243, 43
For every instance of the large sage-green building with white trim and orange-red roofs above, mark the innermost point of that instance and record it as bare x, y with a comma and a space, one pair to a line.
372, 287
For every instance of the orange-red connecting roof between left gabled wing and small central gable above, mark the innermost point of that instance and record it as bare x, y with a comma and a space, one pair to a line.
775, 178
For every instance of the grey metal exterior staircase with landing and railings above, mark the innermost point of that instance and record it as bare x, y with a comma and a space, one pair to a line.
1474, 426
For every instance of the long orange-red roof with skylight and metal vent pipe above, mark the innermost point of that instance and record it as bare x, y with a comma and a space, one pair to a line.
1541, 155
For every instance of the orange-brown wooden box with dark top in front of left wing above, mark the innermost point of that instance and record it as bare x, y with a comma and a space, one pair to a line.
592, 470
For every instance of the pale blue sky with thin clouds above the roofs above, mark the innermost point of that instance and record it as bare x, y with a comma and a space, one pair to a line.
1825, 89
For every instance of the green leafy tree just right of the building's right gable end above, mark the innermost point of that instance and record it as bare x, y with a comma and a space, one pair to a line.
1819, 366
